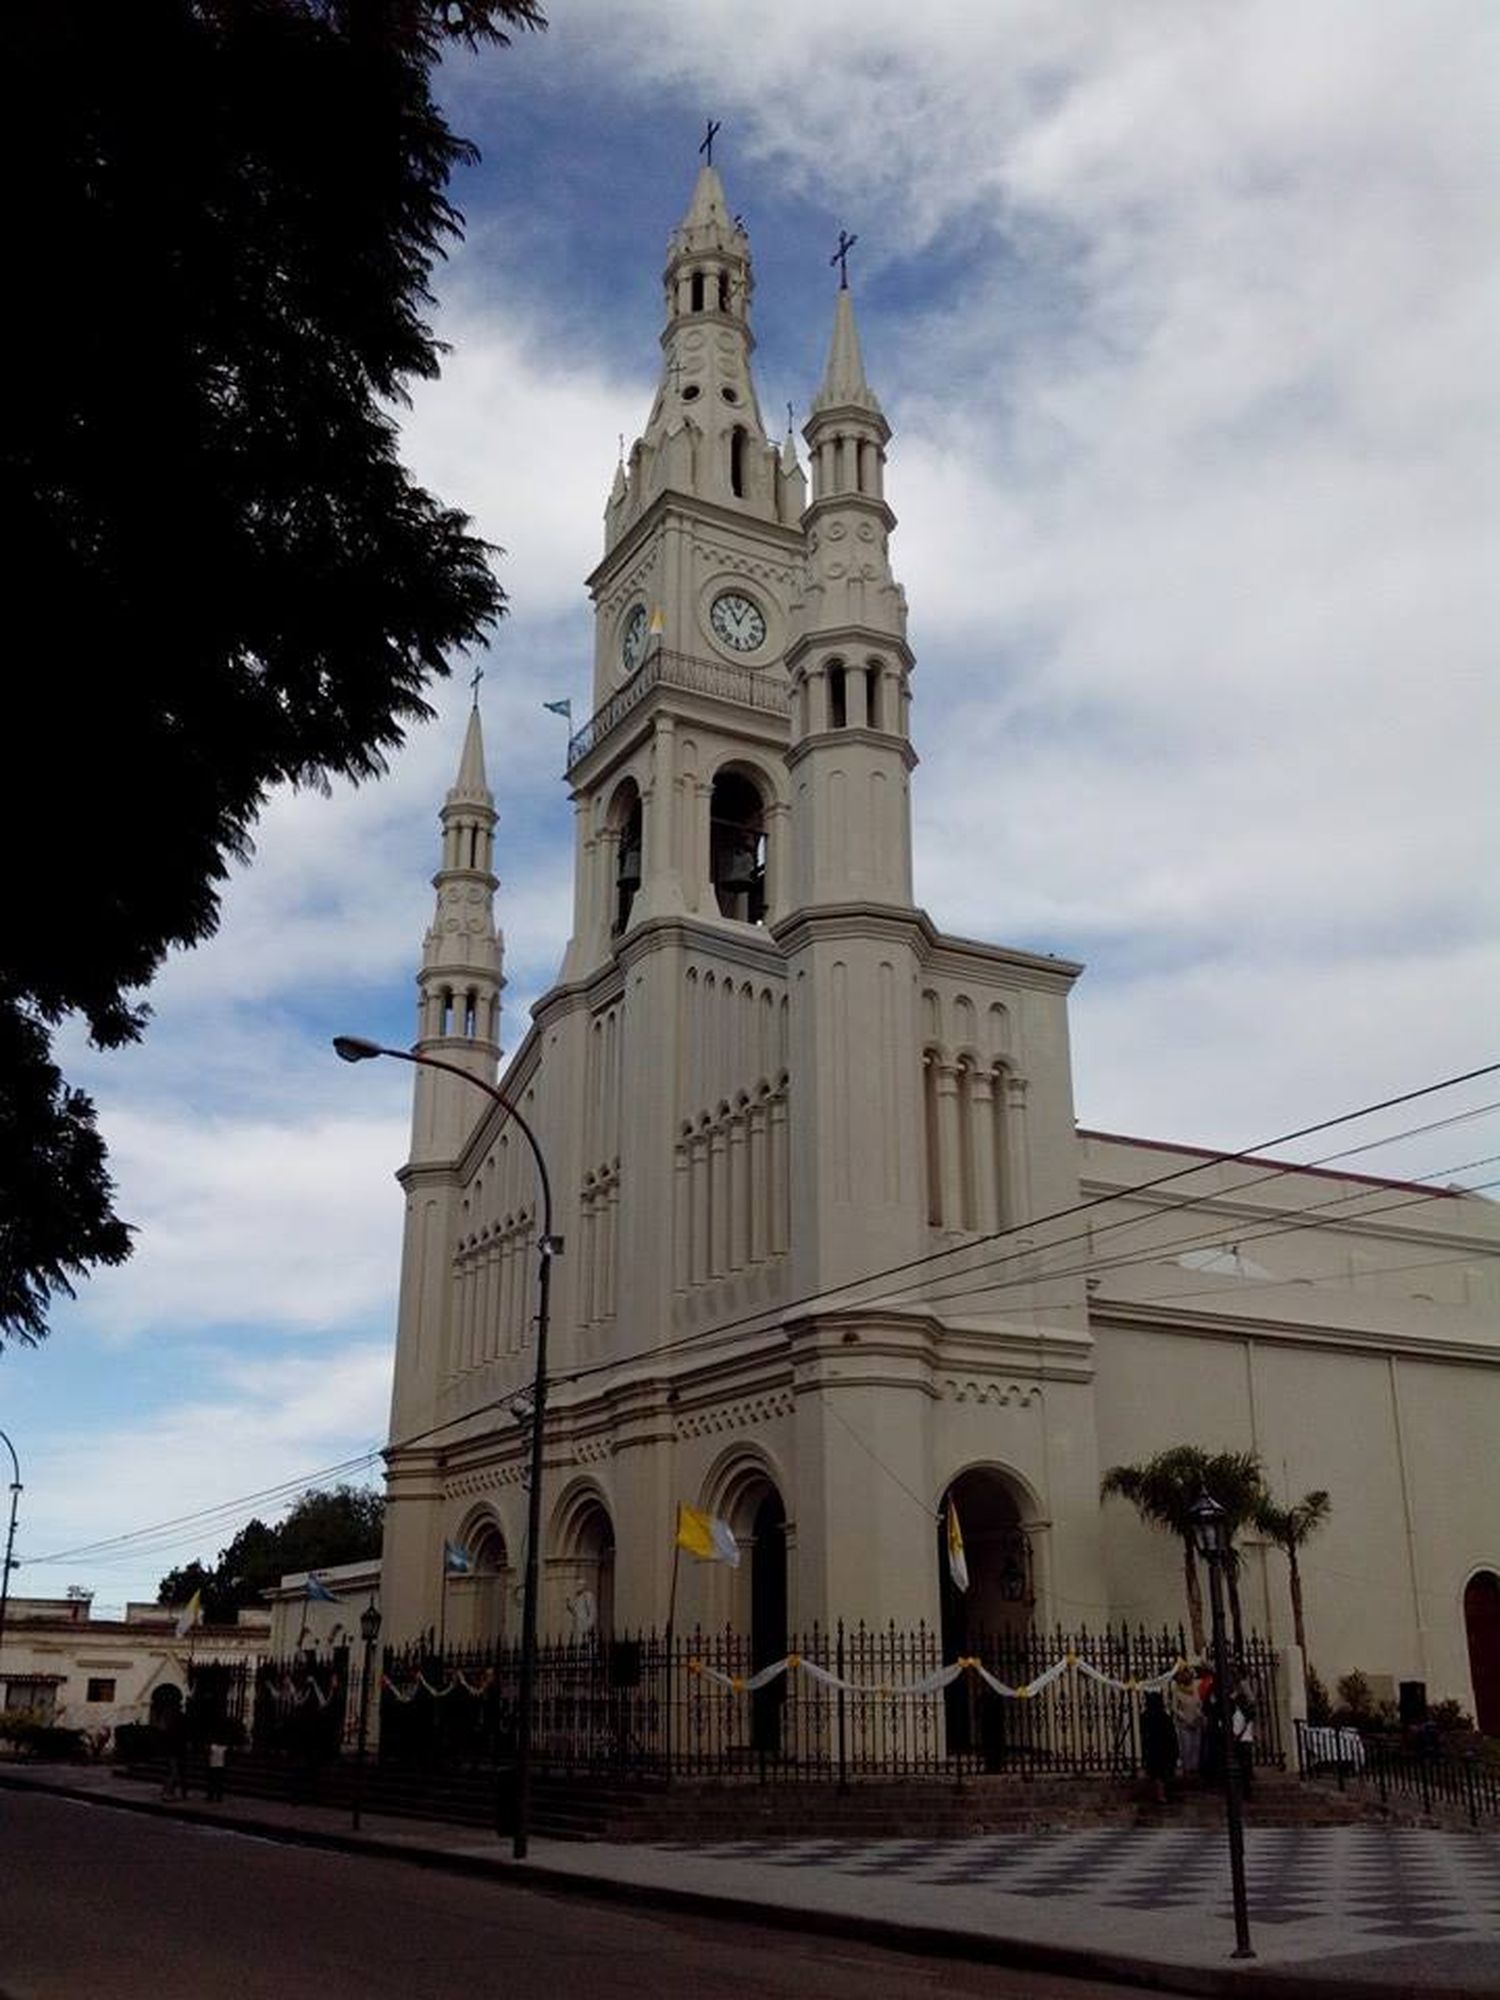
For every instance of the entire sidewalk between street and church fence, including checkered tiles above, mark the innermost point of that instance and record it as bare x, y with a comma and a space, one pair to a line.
1335, 1911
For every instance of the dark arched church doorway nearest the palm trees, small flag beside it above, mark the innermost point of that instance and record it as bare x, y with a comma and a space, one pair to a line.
995, 1613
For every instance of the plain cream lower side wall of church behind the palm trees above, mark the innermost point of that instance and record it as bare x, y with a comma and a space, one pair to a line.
1403, 1445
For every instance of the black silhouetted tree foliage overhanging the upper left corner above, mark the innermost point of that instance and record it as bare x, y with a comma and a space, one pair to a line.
221, 225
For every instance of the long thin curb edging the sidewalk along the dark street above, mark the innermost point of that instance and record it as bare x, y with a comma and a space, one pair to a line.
925, 1941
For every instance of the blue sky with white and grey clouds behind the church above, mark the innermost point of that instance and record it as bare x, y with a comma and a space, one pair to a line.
1185, 319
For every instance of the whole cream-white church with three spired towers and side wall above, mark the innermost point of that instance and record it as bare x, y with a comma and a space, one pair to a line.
833, 1243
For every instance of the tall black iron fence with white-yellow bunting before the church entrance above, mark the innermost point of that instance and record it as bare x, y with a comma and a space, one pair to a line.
853, 1703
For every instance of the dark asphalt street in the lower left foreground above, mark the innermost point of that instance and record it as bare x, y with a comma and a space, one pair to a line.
101, 1905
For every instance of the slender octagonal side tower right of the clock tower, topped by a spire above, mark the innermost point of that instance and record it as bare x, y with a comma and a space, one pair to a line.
851, 933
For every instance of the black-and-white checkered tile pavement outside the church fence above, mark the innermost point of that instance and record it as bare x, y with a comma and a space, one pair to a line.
1377, 1885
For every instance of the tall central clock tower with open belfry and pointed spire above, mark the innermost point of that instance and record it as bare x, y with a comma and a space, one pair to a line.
679, 777
